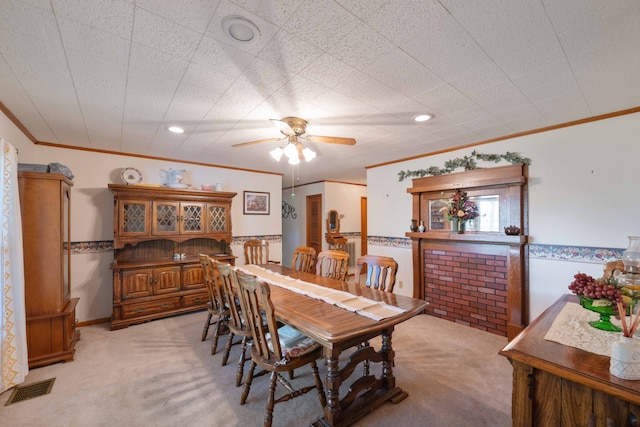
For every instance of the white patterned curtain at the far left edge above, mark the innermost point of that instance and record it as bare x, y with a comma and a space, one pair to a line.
13, 324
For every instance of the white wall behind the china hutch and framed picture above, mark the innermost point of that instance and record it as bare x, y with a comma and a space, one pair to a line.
92, 208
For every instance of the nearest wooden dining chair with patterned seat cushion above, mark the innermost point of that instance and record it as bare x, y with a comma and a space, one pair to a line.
275, 350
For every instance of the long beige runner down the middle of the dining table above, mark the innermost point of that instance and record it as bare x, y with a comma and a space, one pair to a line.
375, 310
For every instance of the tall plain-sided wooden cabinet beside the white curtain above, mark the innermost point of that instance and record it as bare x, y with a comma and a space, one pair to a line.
45, 203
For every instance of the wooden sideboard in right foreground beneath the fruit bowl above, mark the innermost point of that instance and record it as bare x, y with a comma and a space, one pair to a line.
557, 385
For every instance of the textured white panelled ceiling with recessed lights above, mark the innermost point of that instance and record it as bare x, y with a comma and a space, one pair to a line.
113, 74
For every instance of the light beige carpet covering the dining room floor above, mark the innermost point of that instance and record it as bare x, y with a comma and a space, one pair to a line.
161, 374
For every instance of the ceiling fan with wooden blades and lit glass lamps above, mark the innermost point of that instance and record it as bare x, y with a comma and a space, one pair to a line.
294, 128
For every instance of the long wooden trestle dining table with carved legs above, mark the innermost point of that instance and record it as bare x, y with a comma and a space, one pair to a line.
338, 330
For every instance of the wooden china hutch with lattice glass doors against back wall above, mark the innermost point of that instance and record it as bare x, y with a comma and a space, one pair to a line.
151, 225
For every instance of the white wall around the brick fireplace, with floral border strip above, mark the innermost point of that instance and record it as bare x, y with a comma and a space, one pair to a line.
583, 185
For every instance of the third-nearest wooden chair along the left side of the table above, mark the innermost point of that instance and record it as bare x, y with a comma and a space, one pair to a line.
216, 307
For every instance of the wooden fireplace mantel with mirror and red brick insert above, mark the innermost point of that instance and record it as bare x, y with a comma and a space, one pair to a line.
507, 184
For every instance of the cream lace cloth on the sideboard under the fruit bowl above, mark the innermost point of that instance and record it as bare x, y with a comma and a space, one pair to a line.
572, 328
